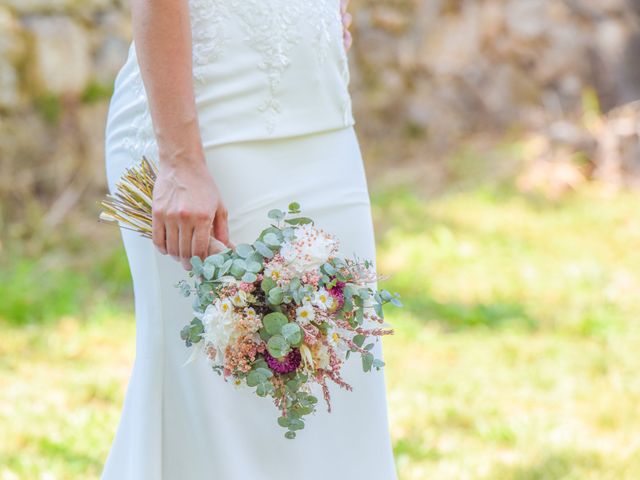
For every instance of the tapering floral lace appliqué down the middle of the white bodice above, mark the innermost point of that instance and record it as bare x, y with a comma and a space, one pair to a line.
271, 30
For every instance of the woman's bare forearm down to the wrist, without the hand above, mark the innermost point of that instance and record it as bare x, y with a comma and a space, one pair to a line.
162, 35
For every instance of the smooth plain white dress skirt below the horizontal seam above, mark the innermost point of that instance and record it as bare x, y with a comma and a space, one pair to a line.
184, 421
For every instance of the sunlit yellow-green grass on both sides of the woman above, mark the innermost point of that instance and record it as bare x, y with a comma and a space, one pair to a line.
515, 357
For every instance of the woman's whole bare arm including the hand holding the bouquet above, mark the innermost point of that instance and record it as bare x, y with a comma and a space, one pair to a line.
187, 207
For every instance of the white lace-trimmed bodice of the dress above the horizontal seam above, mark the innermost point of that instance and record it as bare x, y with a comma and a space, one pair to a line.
262, 69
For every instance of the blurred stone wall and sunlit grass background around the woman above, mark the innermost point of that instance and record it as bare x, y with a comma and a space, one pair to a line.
502, 146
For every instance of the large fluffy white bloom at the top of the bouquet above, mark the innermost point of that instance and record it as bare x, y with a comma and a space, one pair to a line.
311, 248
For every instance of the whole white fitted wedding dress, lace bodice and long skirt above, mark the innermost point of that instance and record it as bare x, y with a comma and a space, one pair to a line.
271, 80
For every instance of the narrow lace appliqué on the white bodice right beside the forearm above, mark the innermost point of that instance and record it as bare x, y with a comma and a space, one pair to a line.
209, 39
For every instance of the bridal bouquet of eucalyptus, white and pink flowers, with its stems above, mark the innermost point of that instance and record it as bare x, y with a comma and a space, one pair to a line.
280, 314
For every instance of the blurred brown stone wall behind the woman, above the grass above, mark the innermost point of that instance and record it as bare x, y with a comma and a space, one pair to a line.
426, 74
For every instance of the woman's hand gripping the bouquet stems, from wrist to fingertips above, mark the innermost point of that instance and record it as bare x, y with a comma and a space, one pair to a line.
187, 212
